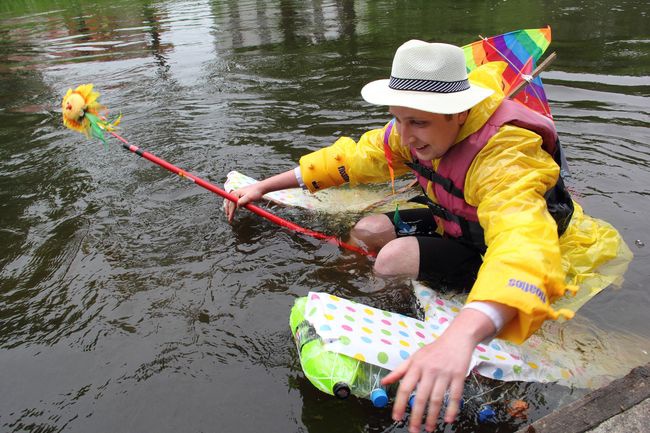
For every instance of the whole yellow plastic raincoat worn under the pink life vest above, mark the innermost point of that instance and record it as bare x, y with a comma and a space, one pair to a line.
525, 266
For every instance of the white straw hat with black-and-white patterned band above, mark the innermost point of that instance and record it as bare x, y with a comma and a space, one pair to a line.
429, 77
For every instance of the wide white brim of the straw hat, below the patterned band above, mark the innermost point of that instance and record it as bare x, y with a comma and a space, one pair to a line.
378, 93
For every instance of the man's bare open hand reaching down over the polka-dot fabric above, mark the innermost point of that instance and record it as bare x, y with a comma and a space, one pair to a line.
438, 371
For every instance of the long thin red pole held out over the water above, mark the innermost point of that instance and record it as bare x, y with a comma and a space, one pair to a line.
251, 207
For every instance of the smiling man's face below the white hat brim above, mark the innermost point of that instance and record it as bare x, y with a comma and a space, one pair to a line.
430, 134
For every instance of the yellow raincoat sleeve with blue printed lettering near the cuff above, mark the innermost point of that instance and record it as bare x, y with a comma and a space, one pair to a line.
522, 265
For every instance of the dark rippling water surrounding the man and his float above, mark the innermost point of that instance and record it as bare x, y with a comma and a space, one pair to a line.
127, 303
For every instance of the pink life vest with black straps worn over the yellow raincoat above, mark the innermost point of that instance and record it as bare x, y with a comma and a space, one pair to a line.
458, 218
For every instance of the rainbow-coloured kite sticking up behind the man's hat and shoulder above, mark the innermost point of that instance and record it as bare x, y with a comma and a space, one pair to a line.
521, 50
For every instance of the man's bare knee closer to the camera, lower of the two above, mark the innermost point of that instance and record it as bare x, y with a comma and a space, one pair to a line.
400, 257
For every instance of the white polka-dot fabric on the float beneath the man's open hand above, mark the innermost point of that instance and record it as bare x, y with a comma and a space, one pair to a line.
386, 339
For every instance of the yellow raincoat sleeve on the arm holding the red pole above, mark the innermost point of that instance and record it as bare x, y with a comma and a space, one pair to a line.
354, 162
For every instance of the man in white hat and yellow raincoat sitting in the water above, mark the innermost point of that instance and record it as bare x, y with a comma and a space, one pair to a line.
497, 210
